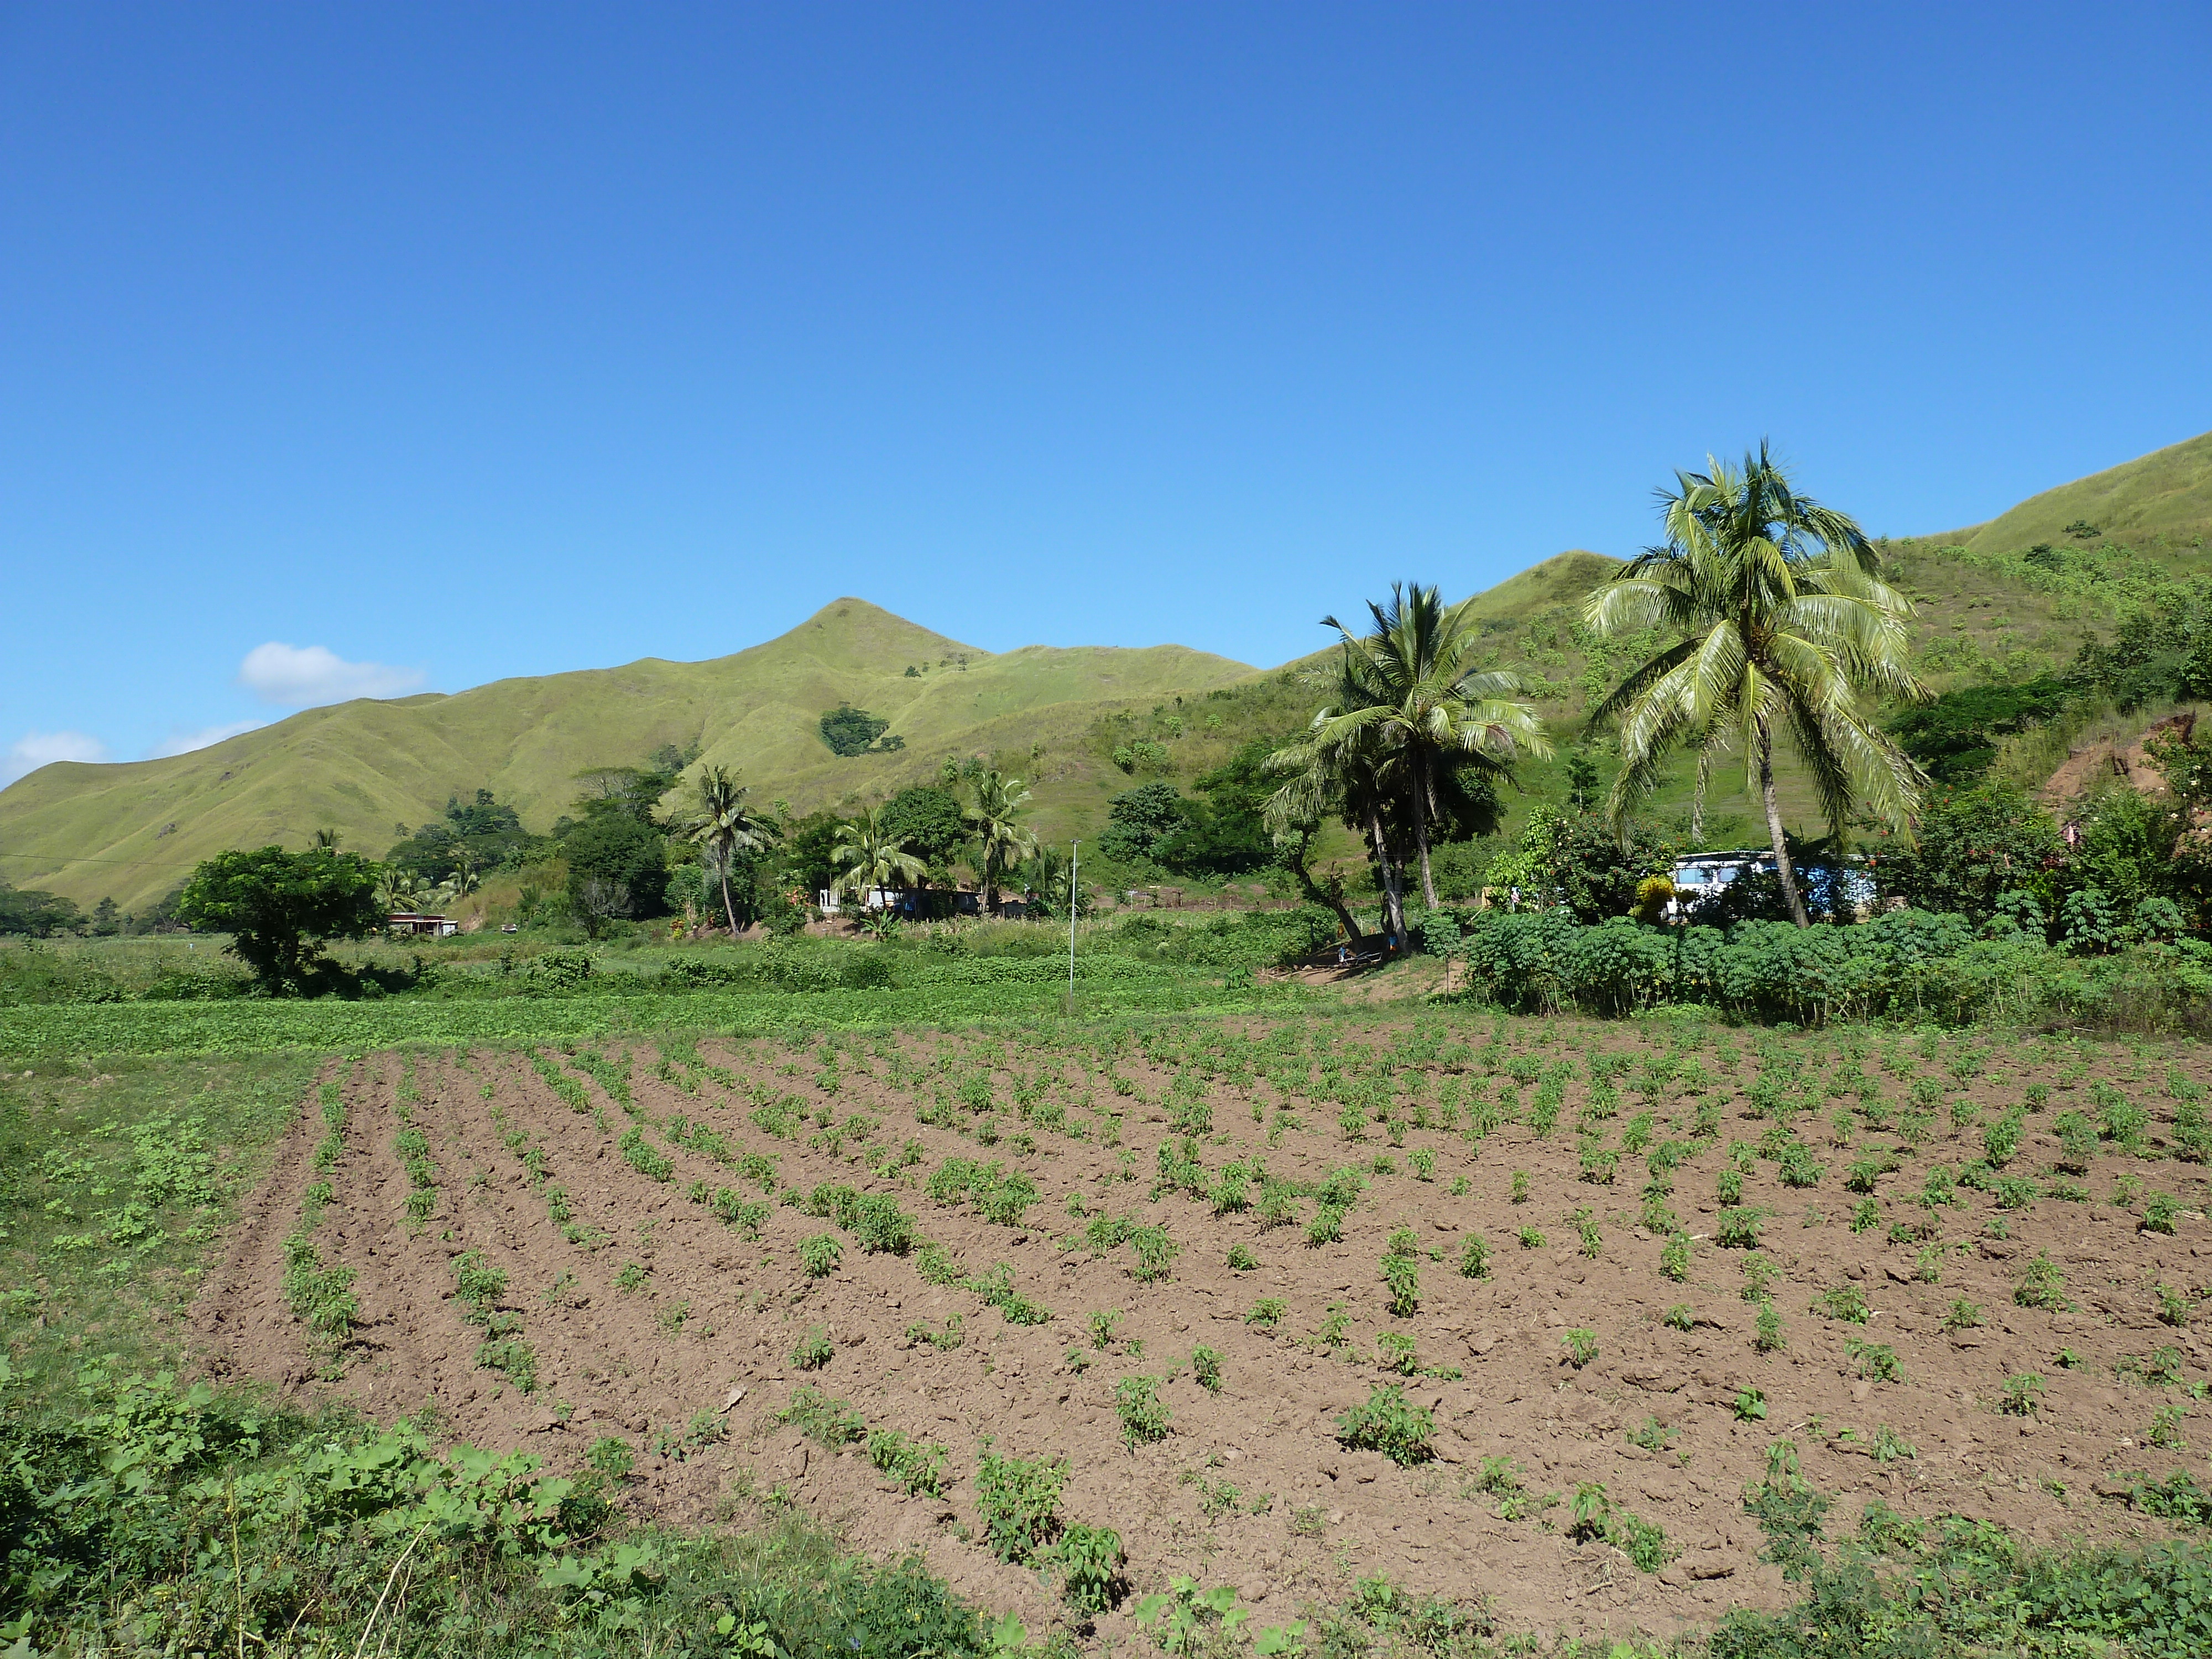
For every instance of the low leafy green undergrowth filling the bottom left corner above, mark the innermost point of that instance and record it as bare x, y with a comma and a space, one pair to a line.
109, 1514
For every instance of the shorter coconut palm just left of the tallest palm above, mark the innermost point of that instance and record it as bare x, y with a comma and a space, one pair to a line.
1410, 691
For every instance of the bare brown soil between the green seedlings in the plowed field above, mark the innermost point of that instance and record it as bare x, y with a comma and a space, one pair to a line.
616, 1364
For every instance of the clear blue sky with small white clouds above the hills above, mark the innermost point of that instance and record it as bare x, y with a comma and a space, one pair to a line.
351, 351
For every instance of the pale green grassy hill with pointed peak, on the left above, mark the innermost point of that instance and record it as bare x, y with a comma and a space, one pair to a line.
379, 769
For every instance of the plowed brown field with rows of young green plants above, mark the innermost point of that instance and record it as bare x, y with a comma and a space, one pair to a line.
1027, 1220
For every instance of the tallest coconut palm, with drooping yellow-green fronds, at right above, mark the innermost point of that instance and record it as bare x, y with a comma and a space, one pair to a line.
1780, 618
